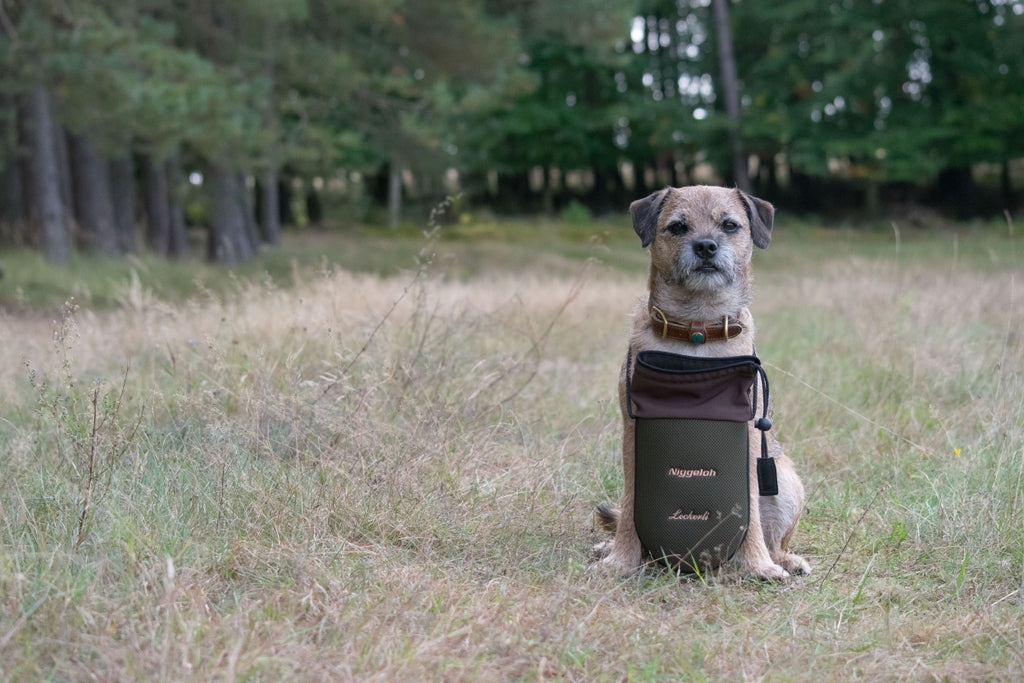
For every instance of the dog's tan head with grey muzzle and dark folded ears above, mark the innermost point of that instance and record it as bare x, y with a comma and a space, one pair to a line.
703, 238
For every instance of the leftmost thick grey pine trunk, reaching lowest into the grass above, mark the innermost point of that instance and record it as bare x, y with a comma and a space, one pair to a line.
47, 208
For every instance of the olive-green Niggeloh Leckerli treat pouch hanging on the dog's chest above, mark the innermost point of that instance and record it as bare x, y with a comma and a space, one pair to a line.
692, 504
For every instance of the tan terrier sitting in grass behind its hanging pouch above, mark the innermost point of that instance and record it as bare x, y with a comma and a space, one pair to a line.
702, 240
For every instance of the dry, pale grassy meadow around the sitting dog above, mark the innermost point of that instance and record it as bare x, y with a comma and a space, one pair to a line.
388, 473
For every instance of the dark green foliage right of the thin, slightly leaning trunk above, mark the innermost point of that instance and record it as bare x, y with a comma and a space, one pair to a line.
897, 91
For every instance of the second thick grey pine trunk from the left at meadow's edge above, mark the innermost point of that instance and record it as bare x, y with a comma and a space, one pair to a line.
94, 206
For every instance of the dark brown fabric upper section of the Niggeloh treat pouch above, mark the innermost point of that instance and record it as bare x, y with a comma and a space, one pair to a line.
670, 386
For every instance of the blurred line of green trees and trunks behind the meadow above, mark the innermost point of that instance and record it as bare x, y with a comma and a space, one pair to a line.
206, 126
